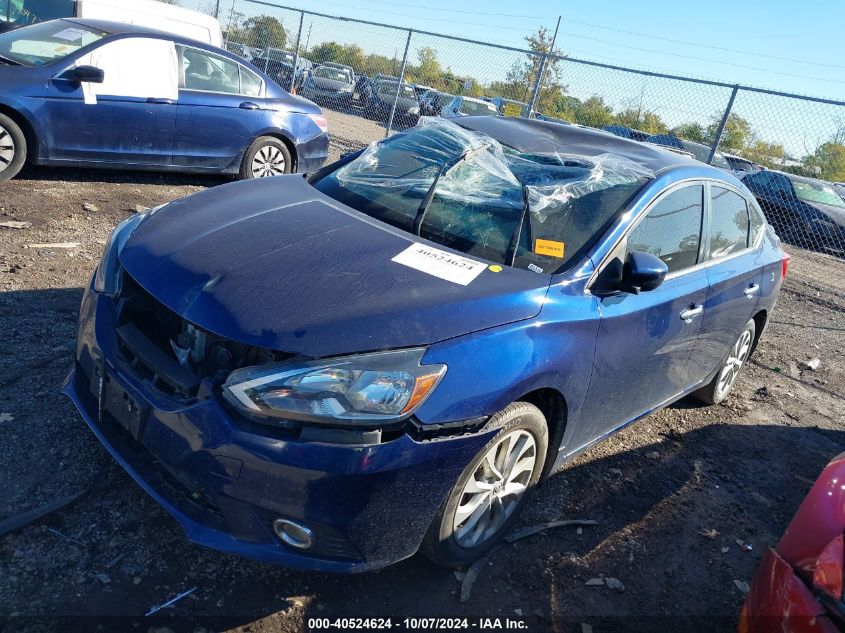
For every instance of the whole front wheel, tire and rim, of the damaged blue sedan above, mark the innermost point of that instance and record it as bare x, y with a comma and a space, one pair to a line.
490, 493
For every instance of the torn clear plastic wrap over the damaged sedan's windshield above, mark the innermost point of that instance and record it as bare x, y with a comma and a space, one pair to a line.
407, 164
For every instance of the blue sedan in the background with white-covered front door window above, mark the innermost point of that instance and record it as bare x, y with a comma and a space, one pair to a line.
88, 93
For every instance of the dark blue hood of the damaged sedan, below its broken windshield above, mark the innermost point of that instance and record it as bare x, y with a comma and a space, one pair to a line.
275, 263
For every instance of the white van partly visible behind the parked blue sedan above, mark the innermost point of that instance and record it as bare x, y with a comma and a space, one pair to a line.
149, 13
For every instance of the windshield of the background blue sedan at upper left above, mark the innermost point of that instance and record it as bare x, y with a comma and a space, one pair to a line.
41, 44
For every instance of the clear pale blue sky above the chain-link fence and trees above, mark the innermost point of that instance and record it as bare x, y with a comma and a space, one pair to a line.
782, 45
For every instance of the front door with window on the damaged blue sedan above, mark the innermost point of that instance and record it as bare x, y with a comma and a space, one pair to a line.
645, 340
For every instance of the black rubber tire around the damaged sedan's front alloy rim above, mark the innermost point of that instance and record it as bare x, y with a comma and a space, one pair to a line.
440, 544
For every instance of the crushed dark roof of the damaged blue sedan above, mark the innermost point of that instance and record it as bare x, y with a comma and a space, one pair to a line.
531, 135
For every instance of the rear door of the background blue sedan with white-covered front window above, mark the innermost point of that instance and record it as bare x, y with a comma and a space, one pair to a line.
221, 110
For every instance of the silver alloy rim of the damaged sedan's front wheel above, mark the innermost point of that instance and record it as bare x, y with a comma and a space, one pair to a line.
495, 489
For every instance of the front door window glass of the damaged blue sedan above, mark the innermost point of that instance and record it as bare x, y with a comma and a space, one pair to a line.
672, 229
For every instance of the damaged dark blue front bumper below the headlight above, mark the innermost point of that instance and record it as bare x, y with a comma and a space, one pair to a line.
226, 480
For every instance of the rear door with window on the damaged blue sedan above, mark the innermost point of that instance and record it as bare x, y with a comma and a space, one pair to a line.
734, 272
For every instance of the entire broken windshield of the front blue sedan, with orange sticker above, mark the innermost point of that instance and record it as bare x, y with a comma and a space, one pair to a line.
479, 205
